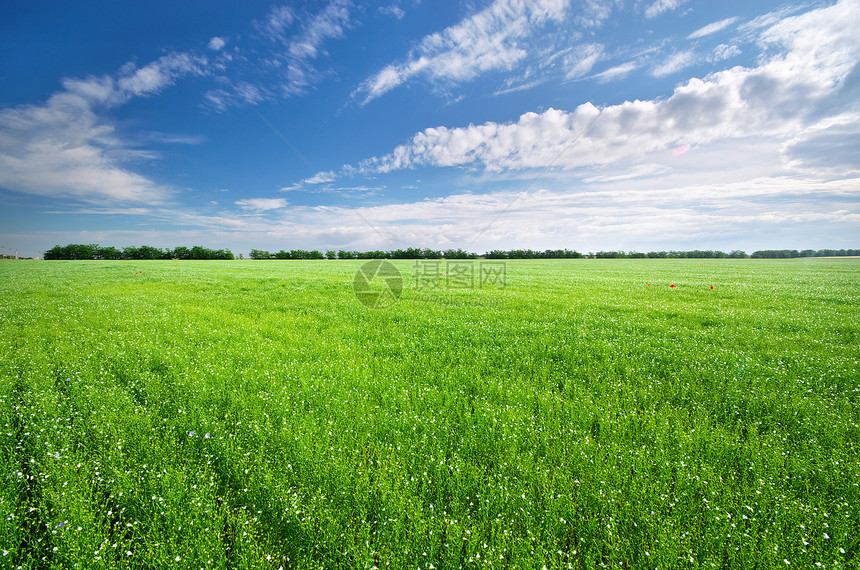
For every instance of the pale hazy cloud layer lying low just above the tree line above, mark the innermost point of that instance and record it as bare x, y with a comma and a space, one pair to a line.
611, 214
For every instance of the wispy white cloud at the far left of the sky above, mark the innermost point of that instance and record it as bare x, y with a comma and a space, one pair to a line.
63, 148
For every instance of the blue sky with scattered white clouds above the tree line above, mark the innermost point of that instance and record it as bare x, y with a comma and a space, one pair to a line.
481, 124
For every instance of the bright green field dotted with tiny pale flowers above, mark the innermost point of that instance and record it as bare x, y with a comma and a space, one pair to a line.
256, 415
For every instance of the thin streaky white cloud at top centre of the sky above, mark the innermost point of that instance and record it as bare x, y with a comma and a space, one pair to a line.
487, 40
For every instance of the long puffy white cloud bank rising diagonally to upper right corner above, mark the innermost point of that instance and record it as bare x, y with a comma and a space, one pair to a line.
785, 94
